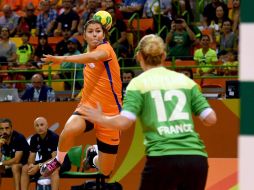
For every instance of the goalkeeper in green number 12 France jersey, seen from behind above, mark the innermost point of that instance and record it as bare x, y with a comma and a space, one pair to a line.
164, 101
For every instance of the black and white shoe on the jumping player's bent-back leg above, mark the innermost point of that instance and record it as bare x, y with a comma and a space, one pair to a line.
91, 152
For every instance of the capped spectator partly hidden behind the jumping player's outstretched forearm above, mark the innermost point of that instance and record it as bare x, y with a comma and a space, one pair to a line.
72, 46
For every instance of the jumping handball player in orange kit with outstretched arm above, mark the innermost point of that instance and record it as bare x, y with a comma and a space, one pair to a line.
102, 84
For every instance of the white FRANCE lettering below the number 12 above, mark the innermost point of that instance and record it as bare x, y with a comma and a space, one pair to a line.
175, 129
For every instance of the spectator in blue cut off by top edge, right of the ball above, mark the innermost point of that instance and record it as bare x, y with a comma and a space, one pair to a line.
132, 6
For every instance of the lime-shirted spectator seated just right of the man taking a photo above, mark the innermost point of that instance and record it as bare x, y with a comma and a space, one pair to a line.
205, 56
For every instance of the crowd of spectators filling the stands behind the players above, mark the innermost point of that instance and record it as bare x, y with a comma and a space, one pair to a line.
210, 38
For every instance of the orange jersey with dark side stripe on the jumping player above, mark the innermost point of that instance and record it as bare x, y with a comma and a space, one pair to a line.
102, 83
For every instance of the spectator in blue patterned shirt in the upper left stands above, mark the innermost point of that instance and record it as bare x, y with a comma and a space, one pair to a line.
46, 20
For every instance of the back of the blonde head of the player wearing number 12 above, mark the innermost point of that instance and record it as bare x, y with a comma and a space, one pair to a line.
152, 47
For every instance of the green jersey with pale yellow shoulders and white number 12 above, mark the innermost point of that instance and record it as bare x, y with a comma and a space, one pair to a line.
164, 101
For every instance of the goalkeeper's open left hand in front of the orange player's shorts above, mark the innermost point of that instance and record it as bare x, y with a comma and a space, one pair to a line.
94, 115
